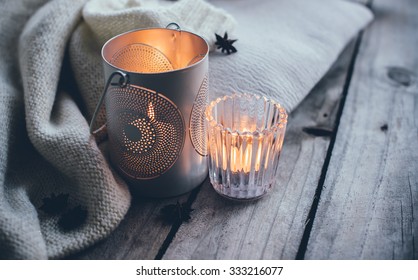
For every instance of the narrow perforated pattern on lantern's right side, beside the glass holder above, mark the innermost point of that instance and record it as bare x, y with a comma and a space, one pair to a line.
197, 119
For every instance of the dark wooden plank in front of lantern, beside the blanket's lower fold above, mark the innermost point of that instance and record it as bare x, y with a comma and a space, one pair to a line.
139, 236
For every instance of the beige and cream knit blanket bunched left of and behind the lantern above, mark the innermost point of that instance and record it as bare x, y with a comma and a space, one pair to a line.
58, 194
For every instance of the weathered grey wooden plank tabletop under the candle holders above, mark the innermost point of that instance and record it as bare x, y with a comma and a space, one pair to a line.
347, 186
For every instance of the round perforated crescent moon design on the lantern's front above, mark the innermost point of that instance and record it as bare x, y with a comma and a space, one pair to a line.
149, 131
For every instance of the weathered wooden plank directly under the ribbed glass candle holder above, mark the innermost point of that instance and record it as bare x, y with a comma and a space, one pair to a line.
273, 226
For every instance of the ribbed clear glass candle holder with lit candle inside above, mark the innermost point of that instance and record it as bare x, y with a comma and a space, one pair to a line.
245, 138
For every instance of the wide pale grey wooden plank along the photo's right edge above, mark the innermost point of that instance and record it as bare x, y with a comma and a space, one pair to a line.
369, 203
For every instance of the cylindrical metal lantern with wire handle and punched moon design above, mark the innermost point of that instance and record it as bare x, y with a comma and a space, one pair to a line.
155, 96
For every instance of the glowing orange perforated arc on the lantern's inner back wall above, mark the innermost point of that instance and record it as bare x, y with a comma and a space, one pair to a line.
141, 58
